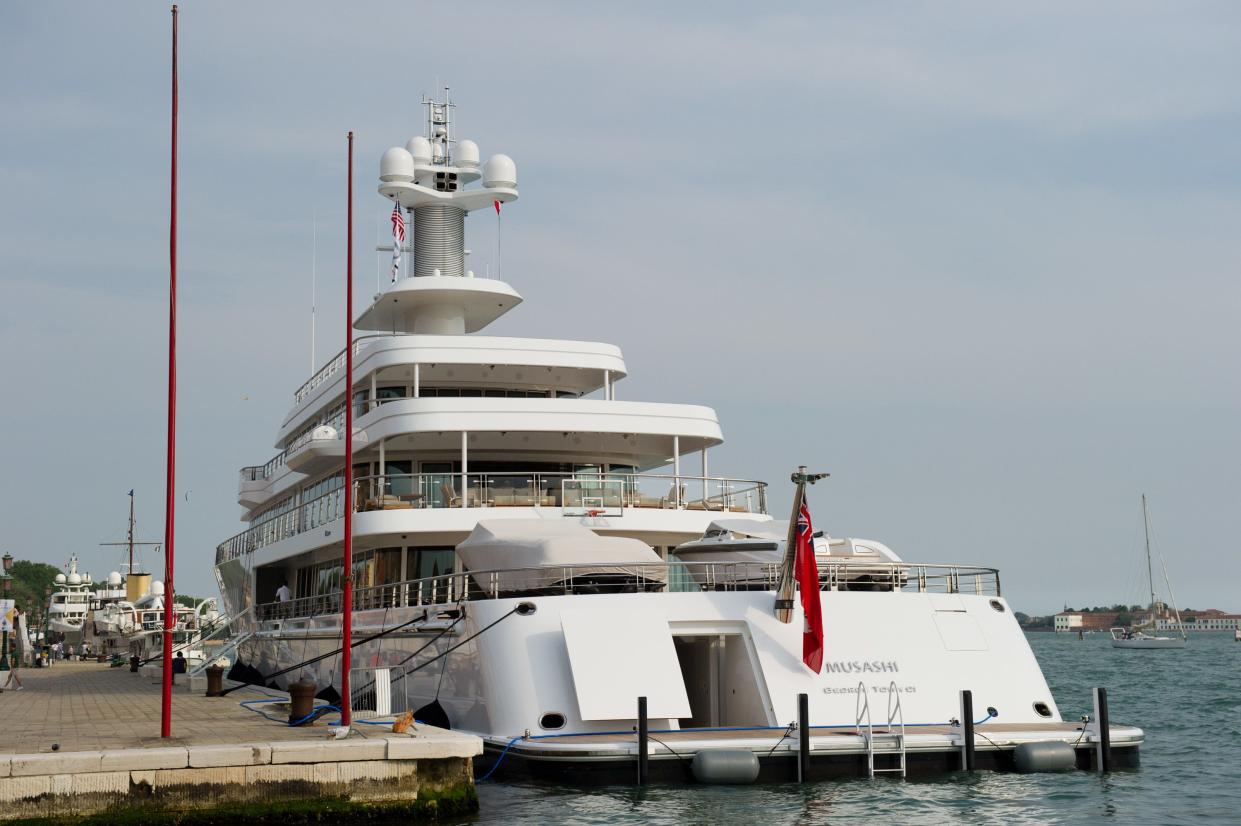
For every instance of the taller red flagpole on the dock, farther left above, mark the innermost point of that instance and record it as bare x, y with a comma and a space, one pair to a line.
171, 491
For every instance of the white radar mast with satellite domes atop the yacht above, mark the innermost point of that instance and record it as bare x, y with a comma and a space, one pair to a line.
429, 178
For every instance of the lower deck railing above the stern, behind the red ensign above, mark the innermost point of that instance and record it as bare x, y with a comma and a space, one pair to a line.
665, 577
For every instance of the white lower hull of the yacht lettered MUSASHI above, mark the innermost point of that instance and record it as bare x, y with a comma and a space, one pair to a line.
503, 674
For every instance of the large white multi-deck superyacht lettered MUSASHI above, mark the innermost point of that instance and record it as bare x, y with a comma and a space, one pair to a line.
533, 553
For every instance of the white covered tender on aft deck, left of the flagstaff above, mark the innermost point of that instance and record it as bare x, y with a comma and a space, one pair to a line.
509, 545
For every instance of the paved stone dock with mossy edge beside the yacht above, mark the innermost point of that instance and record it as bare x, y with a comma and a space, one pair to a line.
81, 745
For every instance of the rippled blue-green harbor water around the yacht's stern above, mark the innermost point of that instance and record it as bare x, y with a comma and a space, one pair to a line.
1187, 701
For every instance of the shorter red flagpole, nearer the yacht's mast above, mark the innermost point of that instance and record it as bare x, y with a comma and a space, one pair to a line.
347, 632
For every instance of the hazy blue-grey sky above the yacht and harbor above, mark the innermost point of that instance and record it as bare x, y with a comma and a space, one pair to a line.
979, 261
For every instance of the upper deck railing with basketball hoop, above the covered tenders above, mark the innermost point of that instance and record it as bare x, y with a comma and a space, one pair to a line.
610, 495
